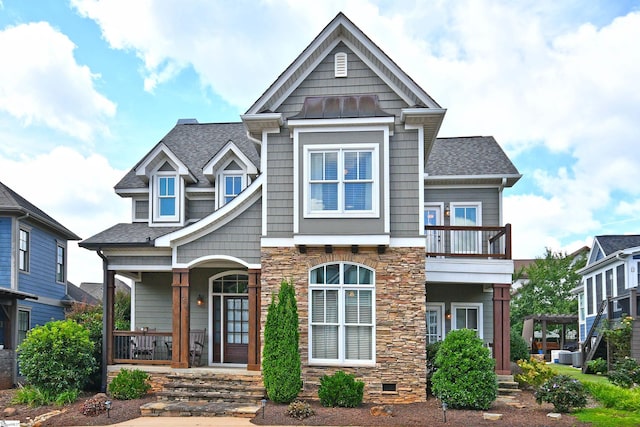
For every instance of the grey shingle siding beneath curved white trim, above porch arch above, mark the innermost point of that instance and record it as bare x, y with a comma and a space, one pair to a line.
239, 238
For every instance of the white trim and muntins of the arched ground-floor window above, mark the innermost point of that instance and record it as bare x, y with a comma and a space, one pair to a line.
341, 288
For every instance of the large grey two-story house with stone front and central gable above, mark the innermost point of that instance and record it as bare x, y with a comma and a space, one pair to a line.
334, 180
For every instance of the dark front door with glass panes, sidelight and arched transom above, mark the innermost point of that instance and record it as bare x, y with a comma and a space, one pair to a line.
230, 319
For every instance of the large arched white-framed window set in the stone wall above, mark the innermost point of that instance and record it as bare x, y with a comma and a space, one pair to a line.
342, 314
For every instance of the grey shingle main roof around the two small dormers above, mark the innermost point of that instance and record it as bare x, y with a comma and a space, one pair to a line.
195, 144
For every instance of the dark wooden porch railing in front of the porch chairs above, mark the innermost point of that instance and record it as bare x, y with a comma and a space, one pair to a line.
142, 347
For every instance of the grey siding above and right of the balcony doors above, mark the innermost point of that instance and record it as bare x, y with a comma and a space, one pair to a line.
489, 197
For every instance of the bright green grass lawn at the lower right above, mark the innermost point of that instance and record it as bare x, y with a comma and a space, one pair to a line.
602, 416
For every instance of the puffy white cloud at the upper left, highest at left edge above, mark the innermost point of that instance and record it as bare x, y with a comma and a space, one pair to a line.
41, 83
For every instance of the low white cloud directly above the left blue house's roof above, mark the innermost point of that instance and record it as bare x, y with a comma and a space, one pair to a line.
75, 190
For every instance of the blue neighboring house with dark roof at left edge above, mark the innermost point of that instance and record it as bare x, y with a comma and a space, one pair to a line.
33, 273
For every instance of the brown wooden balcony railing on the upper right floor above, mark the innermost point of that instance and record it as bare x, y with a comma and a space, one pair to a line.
468, 242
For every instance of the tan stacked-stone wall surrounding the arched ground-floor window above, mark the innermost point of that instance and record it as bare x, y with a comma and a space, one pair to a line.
400, 316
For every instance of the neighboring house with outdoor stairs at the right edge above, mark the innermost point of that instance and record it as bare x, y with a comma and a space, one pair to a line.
609, 291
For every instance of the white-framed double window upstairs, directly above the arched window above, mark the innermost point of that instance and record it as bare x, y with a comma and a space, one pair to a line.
342, 181
